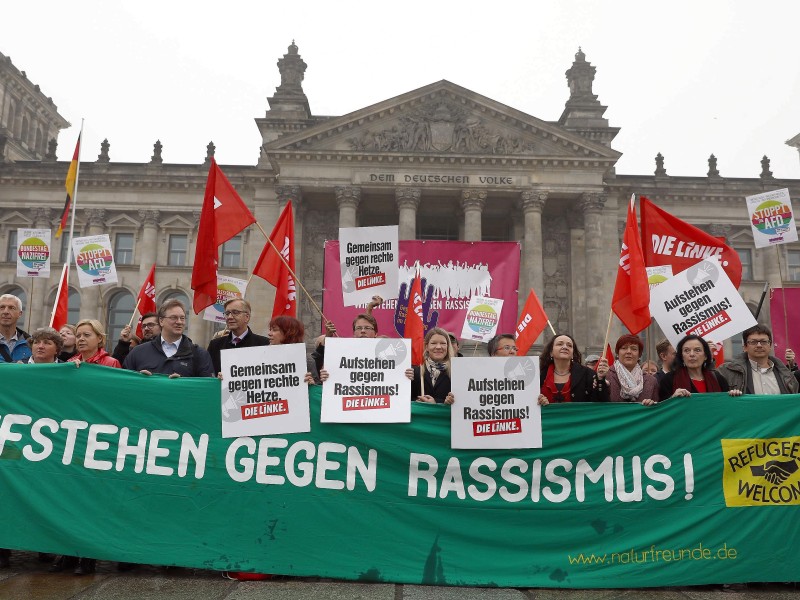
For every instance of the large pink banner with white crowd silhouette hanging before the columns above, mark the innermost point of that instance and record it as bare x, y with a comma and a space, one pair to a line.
451, 273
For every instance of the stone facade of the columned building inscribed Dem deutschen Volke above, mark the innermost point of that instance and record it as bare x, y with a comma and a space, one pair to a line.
441, 161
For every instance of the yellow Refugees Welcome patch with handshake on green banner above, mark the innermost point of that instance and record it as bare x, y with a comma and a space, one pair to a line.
761, 472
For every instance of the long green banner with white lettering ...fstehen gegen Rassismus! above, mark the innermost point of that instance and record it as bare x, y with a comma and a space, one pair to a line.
110, 464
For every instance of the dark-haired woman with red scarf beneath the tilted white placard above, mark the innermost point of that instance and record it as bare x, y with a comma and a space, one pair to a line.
692, 371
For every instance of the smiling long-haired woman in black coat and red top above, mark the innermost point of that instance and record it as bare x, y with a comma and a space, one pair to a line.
564, 378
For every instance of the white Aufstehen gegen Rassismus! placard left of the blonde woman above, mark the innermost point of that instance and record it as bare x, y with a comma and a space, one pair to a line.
367, 381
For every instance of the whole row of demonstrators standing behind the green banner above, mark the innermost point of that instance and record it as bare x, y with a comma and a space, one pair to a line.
164, 348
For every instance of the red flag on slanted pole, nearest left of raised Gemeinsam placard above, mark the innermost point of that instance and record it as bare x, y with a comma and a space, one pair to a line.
273, 269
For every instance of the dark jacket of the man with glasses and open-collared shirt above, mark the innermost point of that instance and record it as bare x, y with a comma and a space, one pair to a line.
190, 361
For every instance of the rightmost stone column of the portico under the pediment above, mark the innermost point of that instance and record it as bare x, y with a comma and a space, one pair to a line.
598, 302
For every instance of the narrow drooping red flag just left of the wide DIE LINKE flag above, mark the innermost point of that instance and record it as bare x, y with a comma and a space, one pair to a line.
631, 300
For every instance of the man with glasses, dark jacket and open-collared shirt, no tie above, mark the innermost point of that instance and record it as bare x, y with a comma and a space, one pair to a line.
171, 353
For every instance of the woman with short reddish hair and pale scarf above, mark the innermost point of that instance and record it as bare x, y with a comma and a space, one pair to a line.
627, 381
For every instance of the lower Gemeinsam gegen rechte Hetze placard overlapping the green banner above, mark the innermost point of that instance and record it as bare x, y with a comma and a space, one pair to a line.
264, 391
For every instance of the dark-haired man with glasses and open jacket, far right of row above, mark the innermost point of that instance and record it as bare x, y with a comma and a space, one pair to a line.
757, 371
